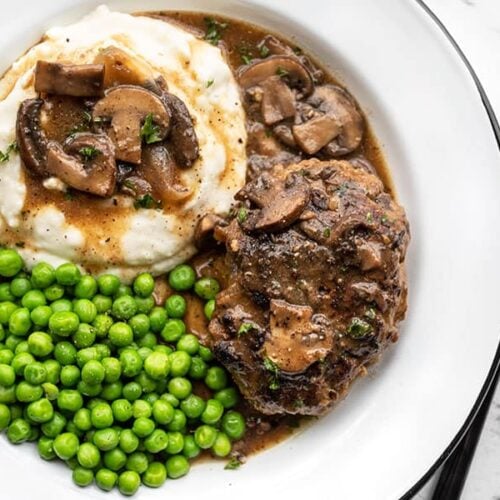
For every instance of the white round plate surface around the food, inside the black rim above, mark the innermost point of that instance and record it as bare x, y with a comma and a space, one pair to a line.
428, 114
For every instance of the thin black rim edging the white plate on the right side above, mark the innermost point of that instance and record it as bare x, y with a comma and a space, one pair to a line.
494, 370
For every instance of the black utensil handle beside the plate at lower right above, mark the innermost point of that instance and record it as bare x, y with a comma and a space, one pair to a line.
455, 470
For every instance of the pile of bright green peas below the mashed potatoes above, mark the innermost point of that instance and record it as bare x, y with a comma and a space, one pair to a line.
102, 379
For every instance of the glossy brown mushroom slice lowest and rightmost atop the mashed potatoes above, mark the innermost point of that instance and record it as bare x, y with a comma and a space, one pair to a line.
158, 169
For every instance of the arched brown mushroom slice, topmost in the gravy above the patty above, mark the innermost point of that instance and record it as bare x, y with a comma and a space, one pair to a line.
287, 67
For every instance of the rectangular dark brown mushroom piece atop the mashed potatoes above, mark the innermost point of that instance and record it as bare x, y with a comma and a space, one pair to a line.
79, 80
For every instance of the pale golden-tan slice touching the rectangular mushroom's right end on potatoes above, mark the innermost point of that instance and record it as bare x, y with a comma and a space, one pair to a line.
122, 68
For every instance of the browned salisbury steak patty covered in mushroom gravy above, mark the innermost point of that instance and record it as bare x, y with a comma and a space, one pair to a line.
316, 253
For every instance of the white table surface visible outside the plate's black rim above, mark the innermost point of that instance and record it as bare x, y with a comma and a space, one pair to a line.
475, 25
